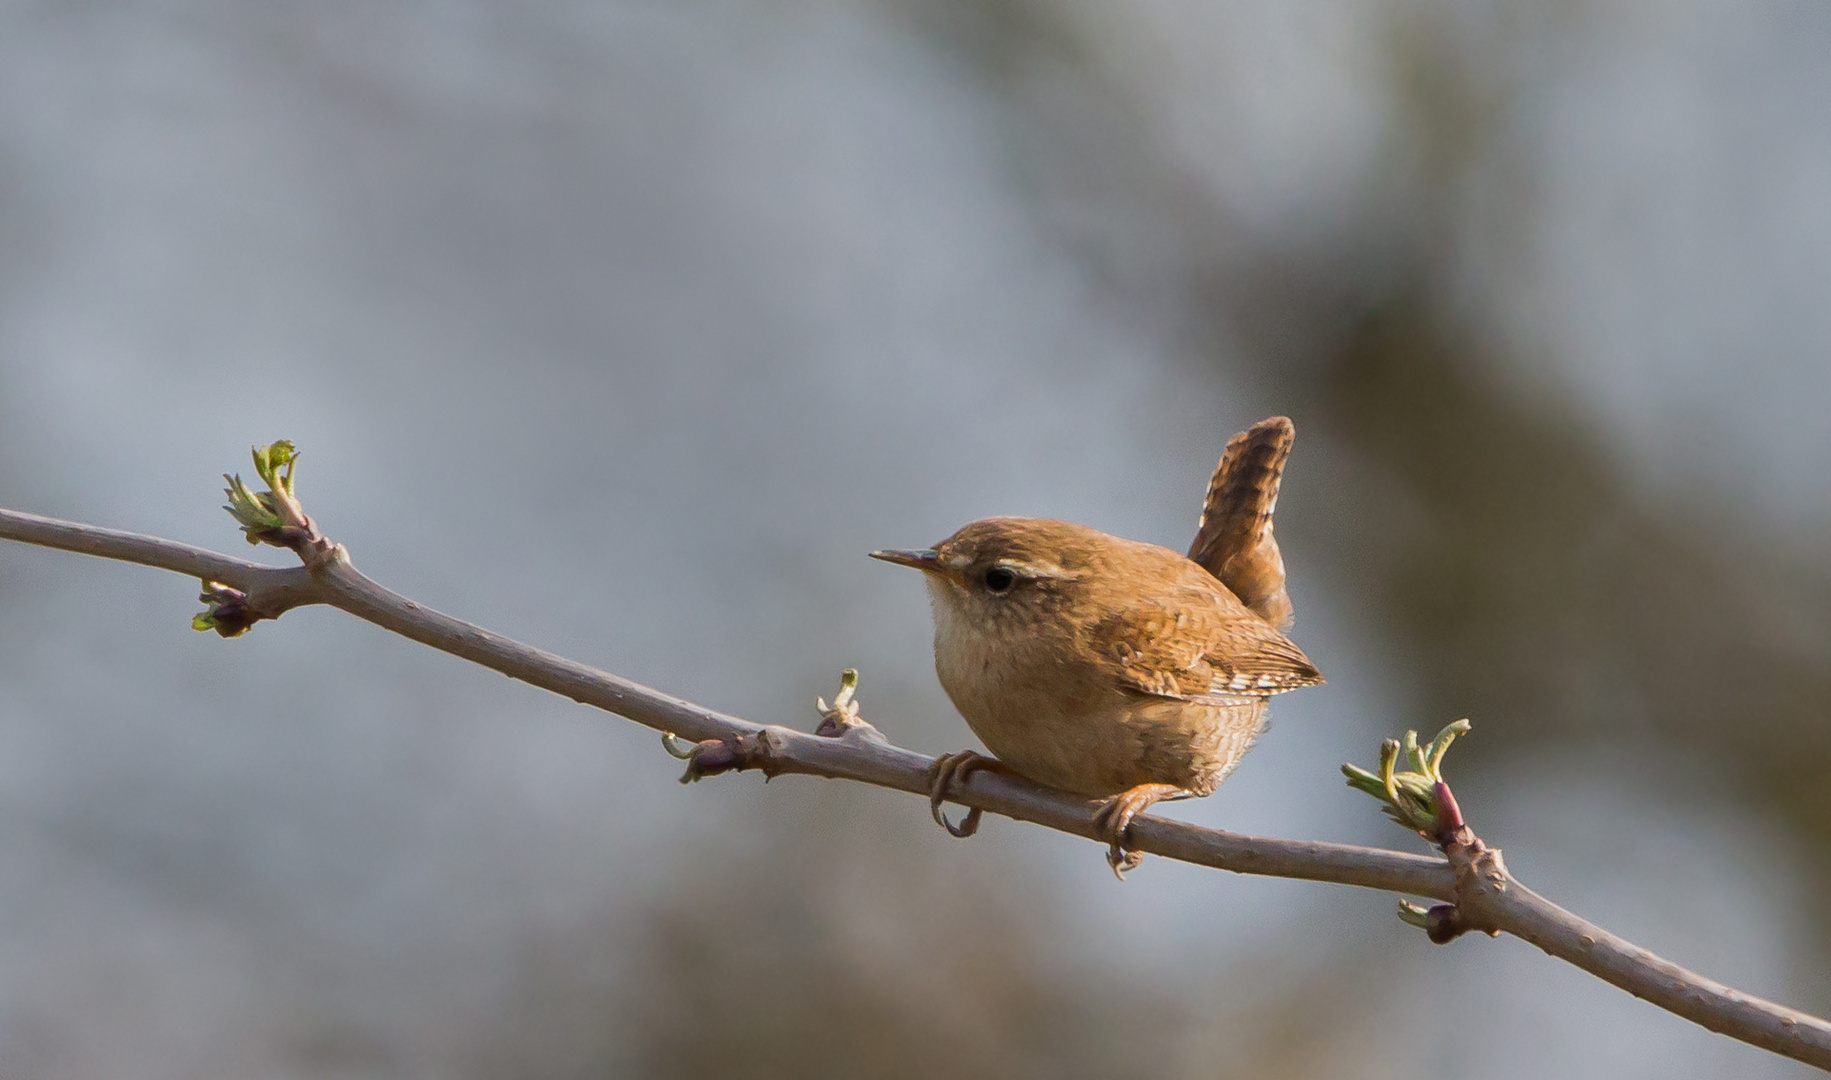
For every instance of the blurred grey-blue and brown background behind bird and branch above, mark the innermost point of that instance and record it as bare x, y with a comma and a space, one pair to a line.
627, 329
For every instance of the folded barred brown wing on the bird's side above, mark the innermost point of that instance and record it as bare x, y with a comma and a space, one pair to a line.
1202, 653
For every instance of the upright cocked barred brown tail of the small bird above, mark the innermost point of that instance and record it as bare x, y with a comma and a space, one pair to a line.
1235, 539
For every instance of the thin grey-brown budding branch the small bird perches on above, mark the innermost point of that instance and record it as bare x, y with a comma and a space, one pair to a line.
1473, 883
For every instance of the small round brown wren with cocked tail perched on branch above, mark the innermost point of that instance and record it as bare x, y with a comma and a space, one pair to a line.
1109, 667
